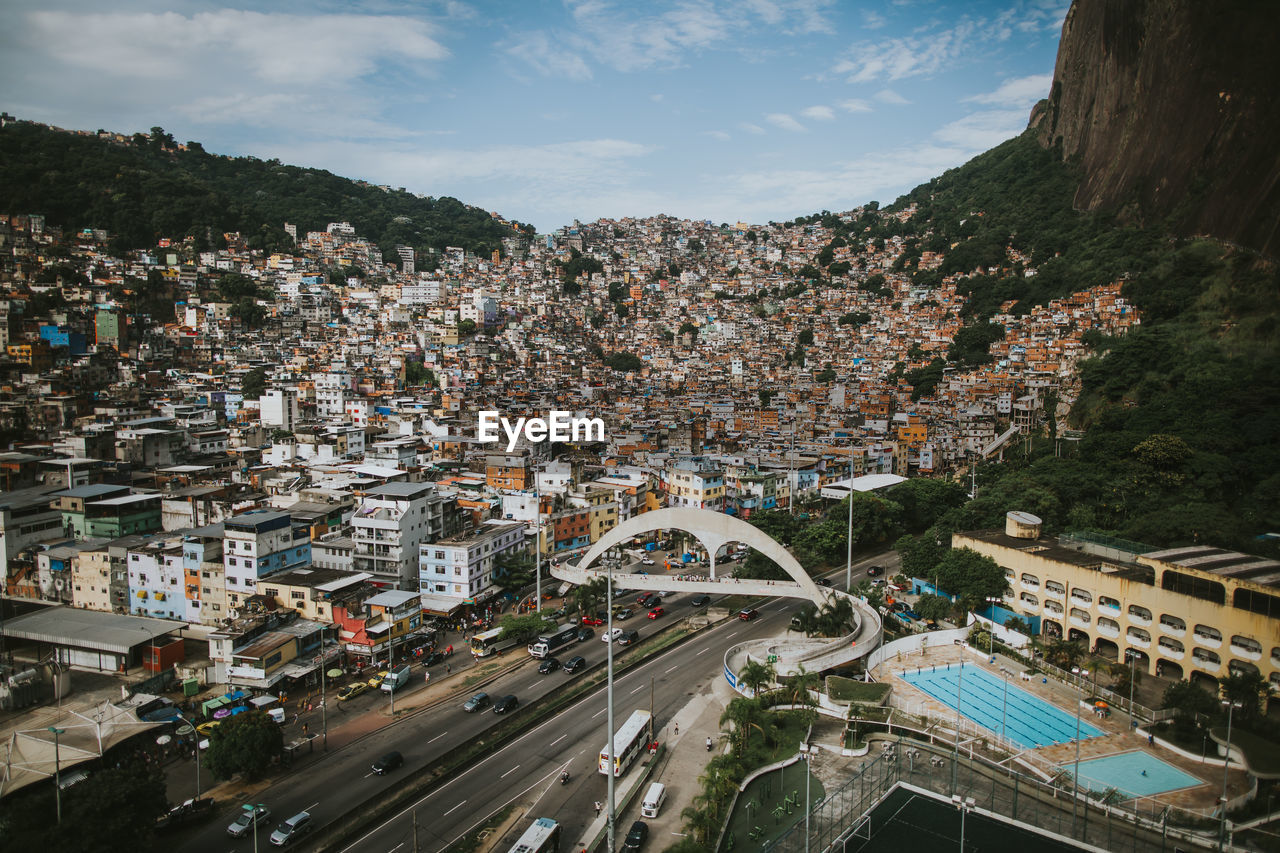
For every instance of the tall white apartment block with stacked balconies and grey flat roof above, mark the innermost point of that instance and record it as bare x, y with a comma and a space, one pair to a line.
388, 527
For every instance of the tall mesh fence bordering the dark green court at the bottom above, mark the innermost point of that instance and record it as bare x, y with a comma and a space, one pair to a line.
995, 788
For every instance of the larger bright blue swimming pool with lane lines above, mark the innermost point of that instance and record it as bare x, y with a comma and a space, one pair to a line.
1023, 719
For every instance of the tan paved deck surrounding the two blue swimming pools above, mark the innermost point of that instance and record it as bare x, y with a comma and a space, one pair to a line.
1117, 735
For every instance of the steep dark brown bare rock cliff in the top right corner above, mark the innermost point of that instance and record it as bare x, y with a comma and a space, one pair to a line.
1169, 107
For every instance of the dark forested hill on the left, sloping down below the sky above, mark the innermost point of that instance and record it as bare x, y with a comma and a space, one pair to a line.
147, 189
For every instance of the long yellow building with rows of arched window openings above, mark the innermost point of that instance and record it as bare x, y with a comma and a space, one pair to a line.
1195, 613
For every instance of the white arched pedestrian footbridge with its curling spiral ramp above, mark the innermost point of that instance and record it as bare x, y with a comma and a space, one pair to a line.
789, 654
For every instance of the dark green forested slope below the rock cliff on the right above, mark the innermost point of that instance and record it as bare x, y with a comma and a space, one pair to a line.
1181, 418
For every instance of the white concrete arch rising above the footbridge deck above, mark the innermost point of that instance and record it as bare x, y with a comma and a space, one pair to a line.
714, 531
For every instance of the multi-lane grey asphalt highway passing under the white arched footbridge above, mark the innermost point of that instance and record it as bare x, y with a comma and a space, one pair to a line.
572, 741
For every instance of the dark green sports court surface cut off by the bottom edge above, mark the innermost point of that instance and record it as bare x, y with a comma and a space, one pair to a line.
907, 822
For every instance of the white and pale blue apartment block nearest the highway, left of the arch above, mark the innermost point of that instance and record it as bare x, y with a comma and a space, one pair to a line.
459, 571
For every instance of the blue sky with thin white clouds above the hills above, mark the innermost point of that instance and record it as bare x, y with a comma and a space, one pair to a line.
548, 112
